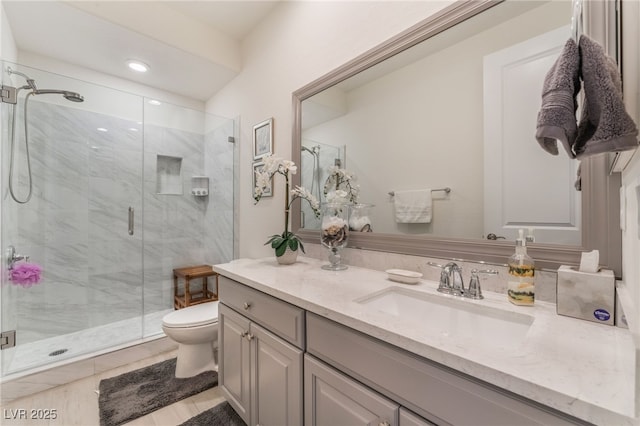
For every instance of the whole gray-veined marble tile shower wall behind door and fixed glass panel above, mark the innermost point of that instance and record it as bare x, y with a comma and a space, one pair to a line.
76, 224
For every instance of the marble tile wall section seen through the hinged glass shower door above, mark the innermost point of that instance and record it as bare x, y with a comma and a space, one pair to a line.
75, 225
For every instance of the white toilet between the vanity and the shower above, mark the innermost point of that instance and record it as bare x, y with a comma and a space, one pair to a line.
195, 329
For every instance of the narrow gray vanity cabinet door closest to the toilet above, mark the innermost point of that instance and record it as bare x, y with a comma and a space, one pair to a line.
234, 360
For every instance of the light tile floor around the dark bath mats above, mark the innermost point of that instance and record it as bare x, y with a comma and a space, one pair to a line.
76, 403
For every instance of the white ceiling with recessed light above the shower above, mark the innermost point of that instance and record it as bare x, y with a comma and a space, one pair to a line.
192, 47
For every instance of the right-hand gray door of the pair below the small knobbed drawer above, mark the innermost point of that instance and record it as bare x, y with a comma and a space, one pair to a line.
276, 380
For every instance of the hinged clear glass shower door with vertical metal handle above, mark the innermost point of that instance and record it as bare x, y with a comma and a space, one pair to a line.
82, 224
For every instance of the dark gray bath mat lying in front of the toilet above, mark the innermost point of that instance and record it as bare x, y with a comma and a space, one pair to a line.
139, 392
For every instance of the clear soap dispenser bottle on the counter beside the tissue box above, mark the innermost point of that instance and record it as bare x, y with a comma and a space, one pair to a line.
521, 286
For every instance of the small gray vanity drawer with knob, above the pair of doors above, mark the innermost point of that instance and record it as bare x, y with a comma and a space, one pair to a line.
281, 318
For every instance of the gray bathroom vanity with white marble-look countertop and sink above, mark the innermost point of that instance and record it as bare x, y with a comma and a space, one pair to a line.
301, 345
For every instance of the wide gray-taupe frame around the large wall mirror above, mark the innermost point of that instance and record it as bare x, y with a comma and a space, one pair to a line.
600, 189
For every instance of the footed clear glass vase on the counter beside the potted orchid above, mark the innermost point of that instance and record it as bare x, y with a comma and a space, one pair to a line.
334, 233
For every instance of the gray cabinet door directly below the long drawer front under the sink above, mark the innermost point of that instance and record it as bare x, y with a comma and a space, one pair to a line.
331, 398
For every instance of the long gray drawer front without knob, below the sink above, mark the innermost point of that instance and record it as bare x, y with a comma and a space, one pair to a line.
435, 392
